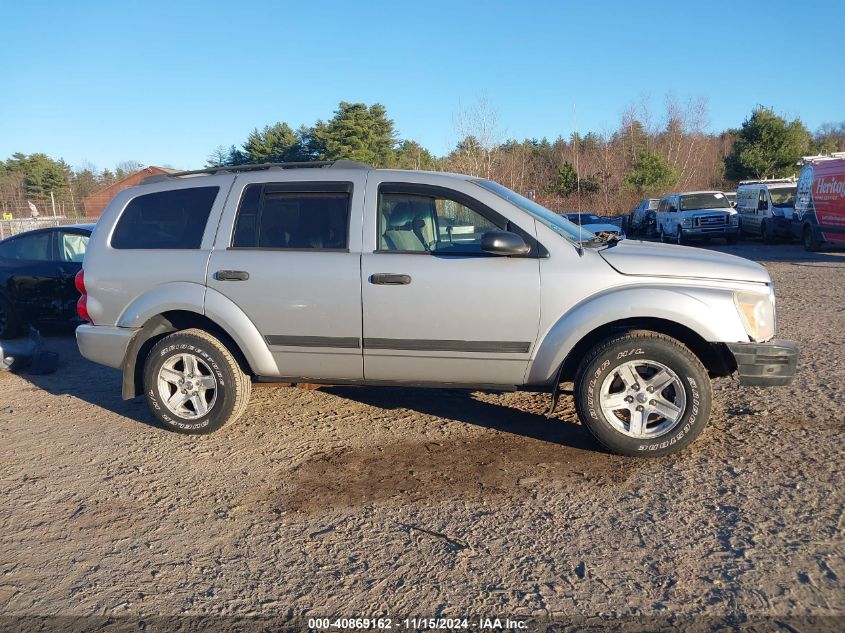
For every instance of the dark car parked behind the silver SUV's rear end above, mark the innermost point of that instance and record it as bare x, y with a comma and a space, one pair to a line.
37, 271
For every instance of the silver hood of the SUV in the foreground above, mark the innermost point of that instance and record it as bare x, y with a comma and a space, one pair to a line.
633, 257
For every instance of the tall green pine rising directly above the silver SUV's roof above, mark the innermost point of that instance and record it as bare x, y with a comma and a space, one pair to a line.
356, 132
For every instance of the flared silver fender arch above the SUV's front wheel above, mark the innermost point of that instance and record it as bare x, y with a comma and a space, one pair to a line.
709, 312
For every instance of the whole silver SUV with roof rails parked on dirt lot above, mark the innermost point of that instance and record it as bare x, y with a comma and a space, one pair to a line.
198, 284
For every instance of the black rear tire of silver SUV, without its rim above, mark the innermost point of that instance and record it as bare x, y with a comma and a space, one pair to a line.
186, 343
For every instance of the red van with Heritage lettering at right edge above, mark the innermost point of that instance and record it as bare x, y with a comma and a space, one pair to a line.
819, 214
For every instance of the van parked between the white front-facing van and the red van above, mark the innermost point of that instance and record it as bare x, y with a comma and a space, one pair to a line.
765, 208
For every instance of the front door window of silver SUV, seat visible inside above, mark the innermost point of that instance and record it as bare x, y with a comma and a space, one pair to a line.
423, 223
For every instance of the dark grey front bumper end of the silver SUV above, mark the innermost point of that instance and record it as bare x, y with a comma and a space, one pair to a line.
765, 364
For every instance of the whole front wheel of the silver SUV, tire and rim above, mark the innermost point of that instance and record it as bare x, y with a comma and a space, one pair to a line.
603, 381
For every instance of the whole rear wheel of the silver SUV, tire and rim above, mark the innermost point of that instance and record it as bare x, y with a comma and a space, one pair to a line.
184, 356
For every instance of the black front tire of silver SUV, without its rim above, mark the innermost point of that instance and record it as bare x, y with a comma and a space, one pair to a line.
693, 376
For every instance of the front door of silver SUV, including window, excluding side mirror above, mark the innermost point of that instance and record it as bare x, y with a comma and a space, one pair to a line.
436, 308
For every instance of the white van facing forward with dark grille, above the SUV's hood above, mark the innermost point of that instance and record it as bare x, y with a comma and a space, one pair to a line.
696, 215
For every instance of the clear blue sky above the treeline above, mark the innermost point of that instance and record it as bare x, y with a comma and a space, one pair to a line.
167, 82
